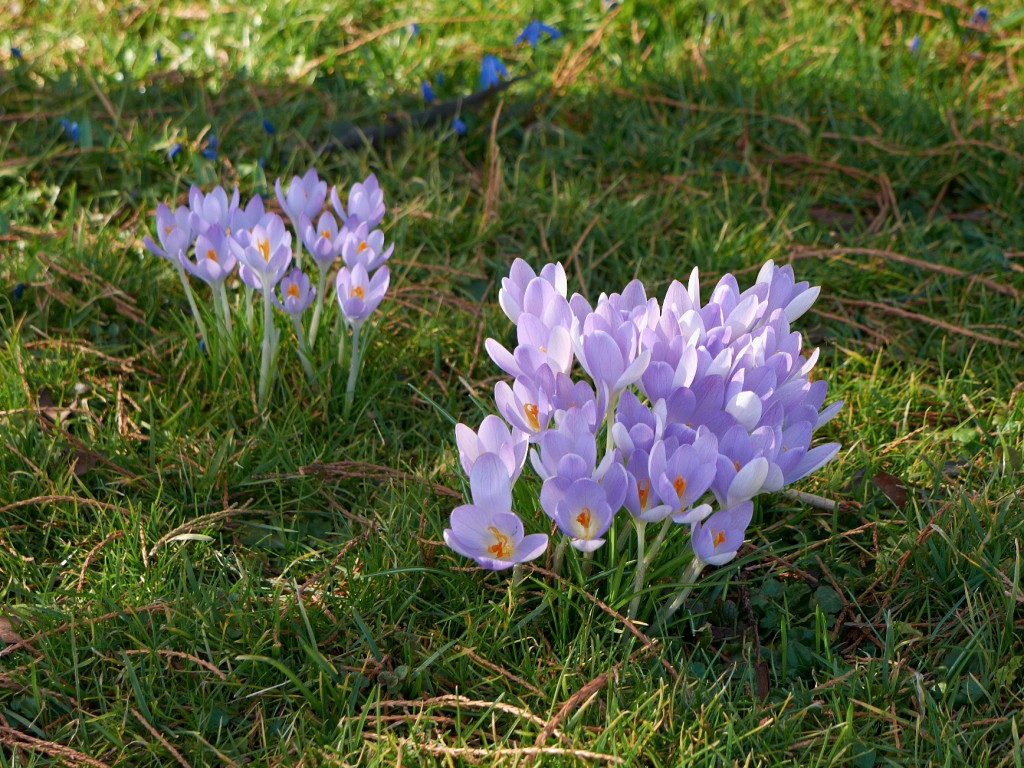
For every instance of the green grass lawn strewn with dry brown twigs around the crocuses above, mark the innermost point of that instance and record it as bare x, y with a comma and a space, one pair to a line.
195, 591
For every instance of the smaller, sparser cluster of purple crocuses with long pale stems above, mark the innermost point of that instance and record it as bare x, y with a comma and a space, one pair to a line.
218, 239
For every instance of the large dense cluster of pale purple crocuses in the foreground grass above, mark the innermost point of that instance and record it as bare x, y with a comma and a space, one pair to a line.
687, 412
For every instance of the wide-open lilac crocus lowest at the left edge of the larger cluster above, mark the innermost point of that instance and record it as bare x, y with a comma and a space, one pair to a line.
488, 531
